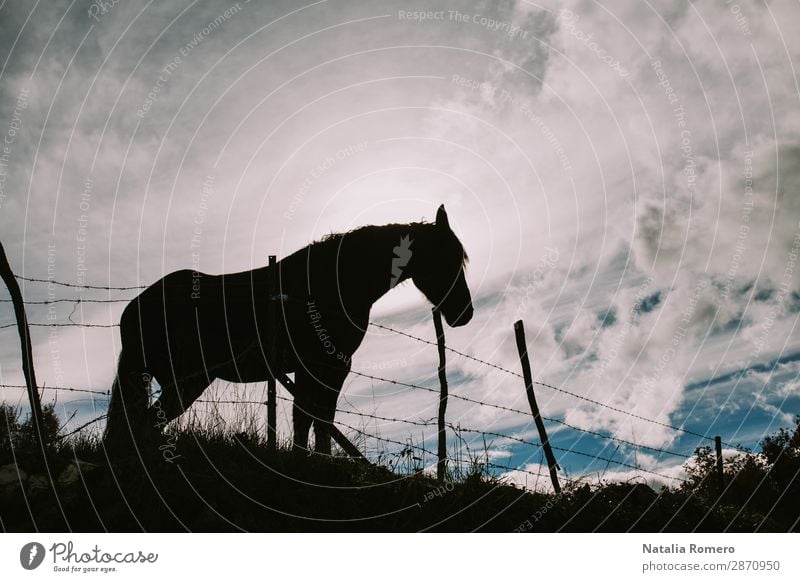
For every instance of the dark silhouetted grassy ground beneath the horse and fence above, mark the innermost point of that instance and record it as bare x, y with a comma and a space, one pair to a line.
216, 477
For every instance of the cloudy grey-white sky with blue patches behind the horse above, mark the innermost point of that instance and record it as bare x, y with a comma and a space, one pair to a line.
624, 176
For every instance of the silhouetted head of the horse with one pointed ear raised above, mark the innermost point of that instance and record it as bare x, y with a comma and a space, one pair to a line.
438, 271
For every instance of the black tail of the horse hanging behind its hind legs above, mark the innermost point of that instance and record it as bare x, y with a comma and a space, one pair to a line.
128, 411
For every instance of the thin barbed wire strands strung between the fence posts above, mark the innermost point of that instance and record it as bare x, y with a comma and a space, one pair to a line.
409, 445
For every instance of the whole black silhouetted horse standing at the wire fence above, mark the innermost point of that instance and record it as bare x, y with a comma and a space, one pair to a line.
190, 328
